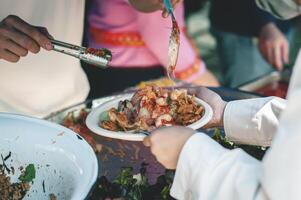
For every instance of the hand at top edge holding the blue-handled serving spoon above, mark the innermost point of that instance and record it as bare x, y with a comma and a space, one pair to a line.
152, 5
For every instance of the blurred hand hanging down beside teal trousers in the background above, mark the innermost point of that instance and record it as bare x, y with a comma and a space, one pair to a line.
273, 46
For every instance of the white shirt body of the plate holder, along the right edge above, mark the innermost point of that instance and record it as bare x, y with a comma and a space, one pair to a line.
282, 164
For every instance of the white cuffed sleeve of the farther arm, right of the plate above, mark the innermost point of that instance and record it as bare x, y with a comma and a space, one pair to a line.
253, 121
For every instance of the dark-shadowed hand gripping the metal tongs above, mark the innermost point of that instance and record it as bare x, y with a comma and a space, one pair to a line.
17, 37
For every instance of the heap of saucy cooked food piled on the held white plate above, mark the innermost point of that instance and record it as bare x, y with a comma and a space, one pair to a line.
150, 108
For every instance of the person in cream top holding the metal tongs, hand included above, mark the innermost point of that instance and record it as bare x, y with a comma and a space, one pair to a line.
40, 84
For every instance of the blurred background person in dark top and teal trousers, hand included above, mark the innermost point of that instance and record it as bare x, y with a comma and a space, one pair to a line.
250, 41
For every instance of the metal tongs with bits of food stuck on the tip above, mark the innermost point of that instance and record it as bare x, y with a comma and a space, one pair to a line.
83, 53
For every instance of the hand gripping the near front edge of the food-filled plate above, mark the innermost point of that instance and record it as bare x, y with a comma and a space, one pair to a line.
166, 144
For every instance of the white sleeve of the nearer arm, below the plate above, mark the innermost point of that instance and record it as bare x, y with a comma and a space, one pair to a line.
206, 170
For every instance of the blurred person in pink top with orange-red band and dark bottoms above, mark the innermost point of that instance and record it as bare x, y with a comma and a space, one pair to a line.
139, 42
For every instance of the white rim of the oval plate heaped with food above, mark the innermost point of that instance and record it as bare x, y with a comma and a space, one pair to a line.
92, 120
